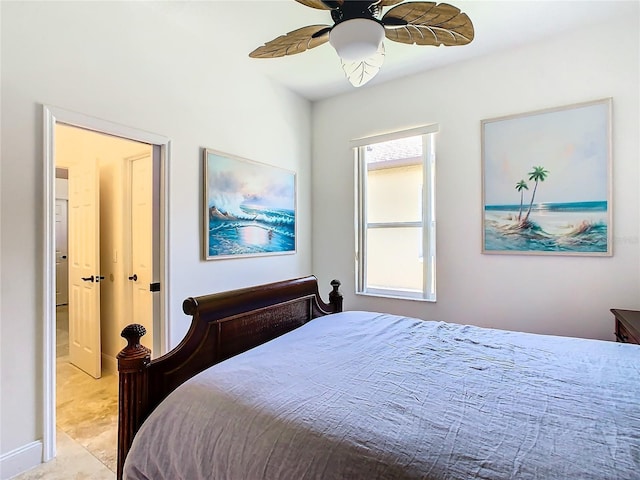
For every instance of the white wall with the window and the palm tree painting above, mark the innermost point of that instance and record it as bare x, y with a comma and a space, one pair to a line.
546, 294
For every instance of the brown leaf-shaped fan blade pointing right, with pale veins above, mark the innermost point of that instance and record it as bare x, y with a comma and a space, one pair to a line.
428, 23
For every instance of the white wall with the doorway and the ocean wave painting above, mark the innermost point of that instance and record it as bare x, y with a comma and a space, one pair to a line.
130, 63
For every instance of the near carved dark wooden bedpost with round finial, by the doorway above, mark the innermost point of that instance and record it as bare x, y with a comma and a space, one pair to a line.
132, 365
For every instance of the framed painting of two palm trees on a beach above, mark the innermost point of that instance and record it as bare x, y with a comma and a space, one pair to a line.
546, 182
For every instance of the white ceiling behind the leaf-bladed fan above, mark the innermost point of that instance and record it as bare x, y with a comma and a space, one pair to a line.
240, 26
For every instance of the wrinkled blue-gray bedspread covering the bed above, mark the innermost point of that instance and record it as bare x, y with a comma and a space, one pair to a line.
362, 395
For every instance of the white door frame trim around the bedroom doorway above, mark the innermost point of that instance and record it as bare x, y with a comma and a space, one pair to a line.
51, 116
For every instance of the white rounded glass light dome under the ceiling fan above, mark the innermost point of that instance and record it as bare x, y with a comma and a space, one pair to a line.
356, 39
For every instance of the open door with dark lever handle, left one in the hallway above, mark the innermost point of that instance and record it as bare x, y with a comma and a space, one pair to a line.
84, 267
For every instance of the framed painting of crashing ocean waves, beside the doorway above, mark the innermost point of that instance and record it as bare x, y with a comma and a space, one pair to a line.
249, 208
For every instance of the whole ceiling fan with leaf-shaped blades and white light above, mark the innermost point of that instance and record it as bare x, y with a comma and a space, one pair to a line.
359, 28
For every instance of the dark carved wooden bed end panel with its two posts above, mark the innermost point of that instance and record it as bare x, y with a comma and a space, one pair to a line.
223, 325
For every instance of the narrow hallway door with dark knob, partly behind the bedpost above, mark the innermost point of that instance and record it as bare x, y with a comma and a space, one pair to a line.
141, 274
